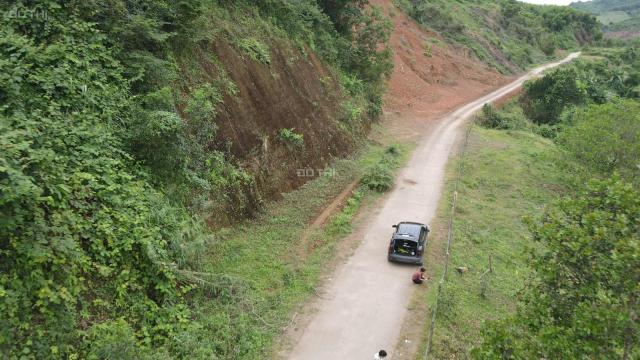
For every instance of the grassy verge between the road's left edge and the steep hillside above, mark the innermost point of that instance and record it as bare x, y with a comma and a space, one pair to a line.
253, 277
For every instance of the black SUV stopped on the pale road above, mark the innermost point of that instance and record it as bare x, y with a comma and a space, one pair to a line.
408, 242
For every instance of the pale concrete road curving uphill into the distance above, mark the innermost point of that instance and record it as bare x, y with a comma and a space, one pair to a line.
368, 297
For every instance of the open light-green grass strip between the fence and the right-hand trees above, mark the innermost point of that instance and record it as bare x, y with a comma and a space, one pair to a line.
507, 175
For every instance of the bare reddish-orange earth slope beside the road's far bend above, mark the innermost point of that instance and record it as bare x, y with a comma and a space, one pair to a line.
431, 76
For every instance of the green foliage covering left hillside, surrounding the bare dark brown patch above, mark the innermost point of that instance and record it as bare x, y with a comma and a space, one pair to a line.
106, 130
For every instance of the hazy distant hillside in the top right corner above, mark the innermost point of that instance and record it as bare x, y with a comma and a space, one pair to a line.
620, 17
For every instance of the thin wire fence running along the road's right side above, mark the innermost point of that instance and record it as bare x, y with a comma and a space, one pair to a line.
452, 214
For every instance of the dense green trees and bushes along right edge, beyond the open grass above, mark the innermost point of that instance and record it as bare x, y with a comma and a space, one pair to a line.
581, 300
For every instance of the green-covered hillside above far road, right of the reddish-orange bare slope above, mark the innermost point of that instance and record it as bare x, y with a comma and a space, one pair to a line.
507, 34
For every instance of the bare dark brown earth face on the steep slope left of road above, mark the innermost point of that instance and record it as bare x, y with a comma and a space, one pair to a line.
294, 92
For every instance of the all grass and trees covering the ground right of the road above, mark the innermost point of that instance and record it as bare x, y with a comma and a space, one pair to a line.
549, 197
